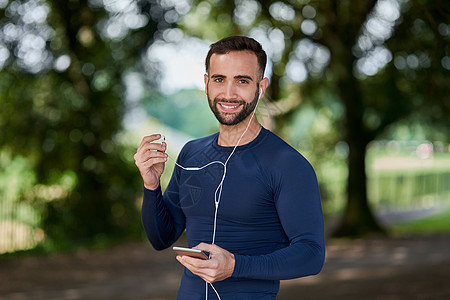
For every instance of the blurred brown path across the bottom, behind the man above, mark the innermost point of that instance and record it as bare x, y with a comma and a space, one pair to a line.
378, 268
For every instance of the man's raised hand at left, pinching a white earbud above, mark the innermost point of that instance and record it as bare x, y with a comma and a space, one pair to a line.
150, 158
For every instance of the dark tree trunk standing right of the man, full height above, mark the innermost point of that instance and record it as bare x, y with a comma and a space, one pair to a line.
358, 219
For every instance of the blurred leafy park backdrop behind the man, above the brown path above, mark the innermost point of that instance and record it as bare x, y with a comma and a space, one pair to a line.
360, 88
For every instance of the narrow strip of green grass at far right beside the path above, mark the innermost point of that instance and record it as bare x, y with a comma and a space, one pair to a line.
439, 223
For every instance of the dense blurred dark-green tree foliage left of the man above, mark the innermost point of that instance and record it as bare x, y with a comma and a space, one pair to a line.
63, 100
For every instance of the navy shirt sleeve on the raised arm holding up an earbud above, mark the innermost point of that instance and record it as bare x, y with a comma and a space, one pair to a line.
162, 218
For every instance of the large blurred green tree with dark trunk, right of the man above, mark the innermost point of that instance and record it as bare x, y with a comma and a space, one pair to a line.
372, 63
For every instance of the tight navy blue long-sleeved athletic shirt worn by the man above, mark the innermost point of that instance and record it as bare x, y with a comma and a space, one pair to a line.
269, 216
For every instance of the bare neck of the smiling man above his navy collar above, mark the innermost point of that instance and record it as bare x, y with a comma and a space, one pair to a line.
229, 135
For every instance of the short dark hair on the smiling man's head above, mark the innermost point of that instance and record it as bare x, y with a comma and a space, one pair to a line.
238, 43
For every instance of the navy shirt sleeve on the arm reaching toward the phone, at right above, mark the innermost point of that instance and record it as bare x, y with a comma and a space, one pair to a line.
298, 205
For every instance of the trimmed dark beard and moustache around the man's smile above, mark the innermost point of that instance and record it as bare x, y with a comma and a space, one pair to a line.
233, 118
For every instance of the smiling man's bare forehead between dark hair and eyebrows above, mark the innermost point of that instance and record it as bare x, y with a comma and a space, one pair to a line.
234, 62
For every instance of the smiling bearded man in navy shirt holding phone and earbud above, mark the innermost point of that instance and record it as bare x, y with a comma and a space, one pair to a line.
243, 195
